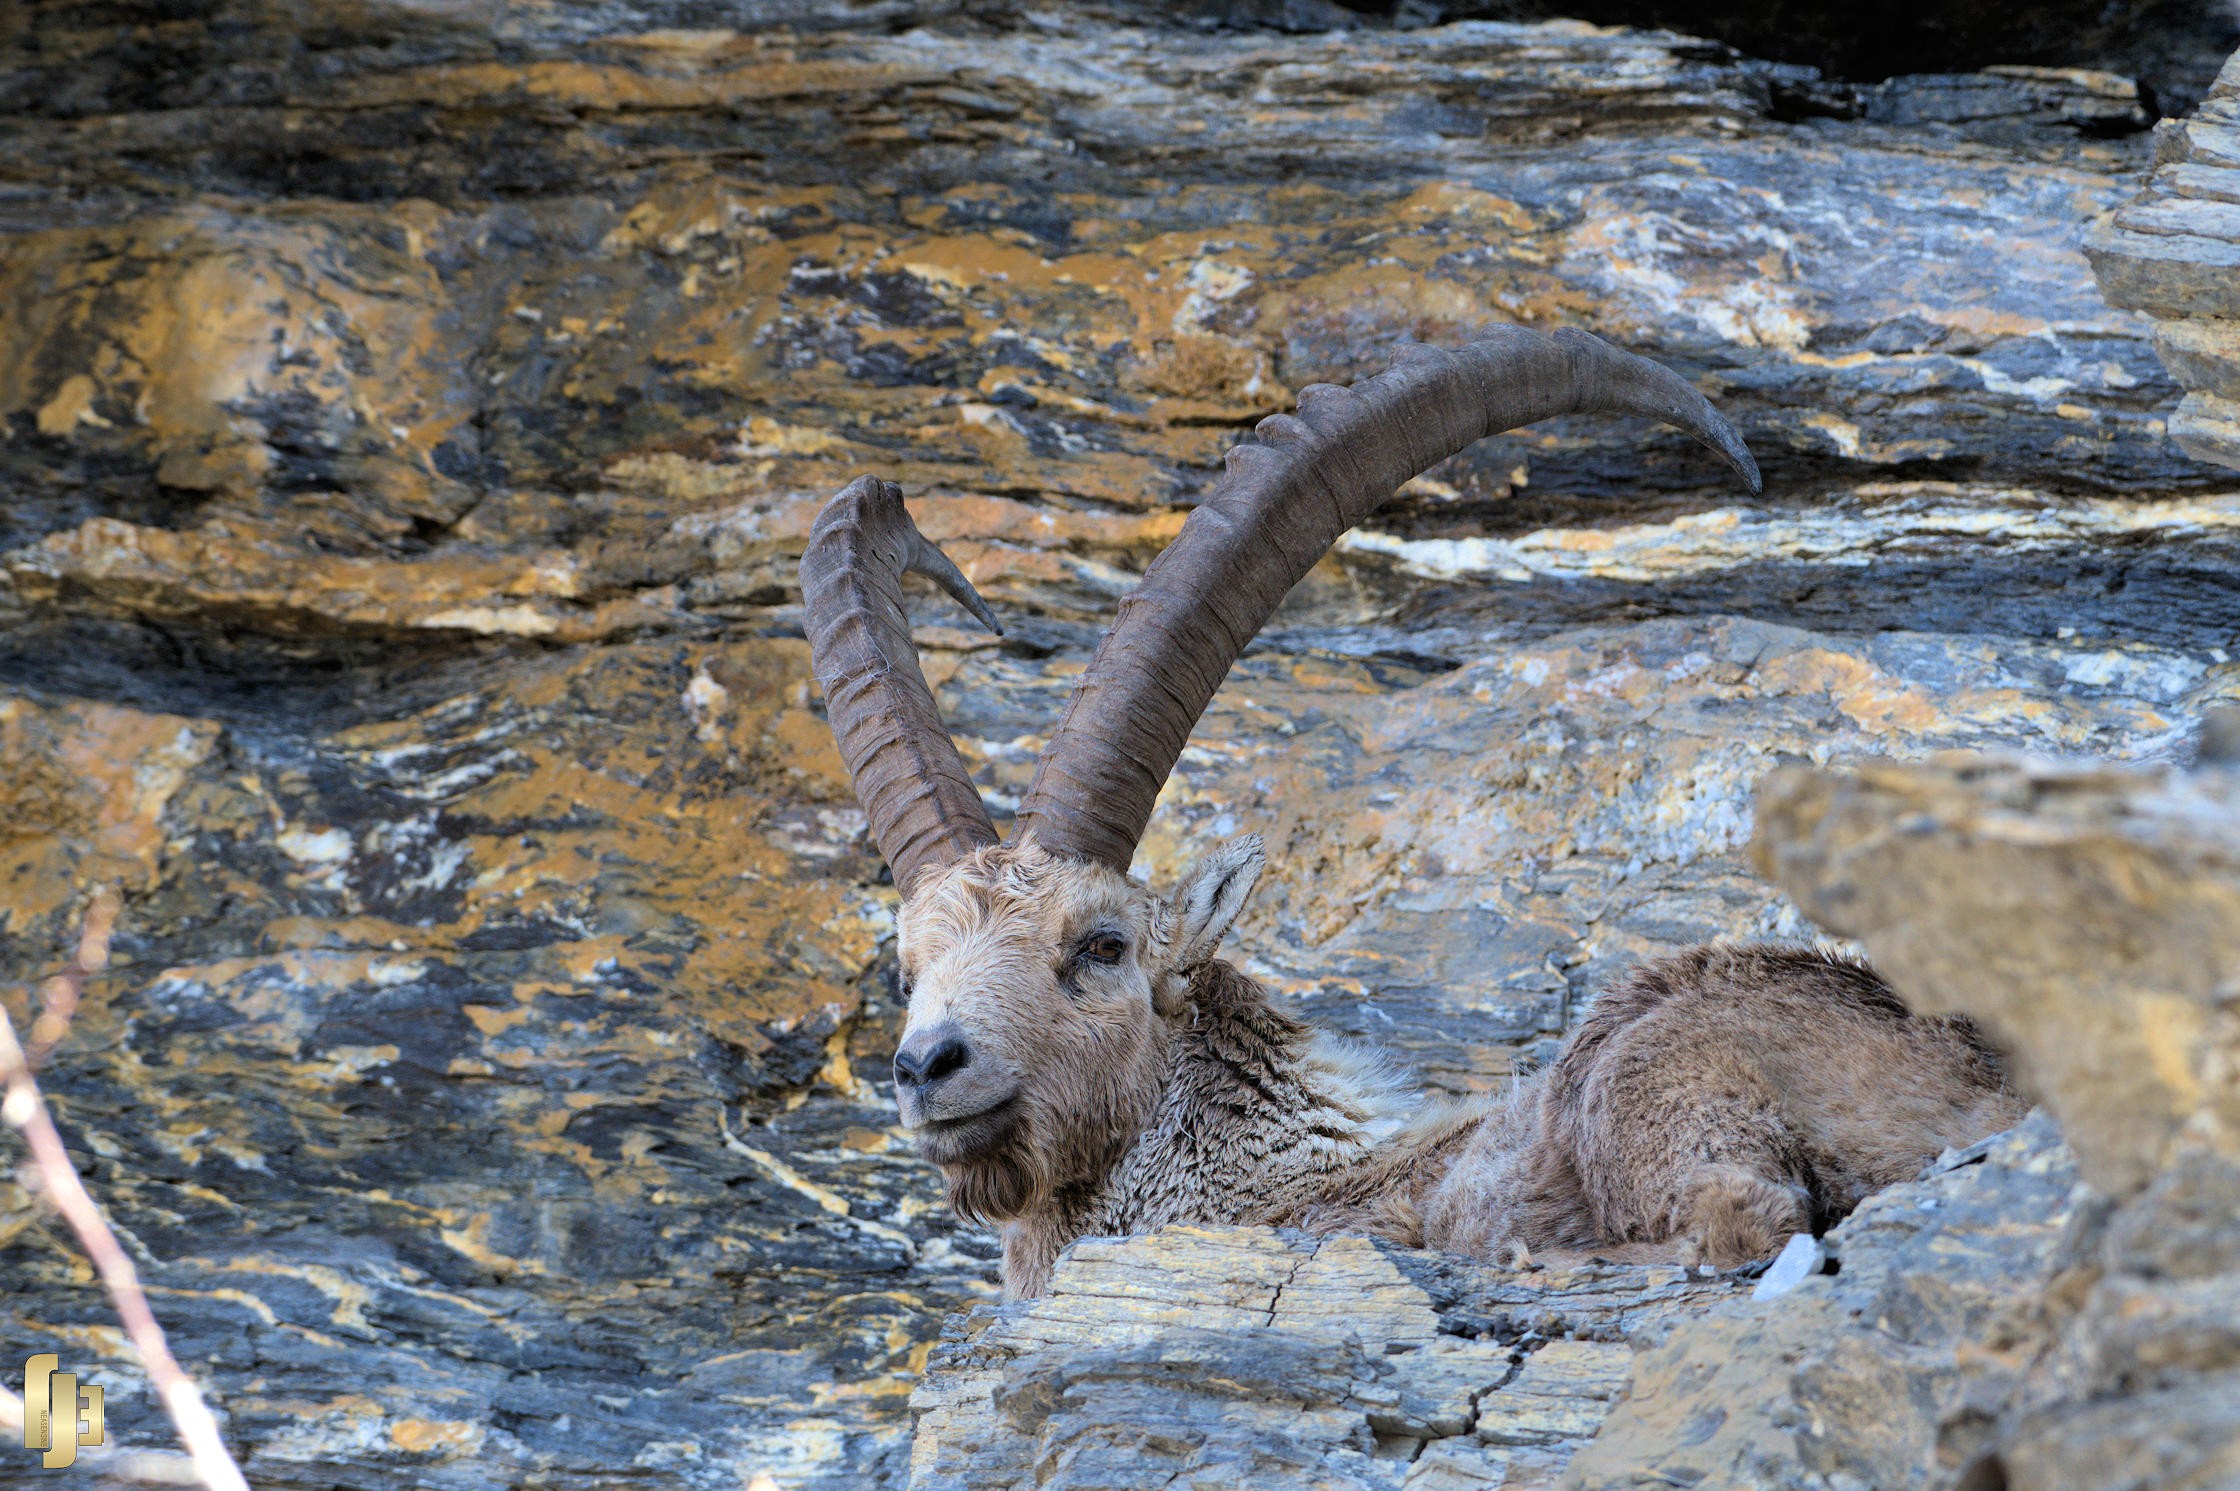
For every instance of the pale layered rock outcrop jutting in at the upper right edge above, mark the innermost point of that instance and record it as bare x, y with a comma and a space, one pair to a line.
2174, 252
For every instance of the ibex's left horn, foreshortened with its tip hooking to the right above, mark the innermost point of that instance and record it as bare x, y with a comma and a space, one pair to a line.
908, 776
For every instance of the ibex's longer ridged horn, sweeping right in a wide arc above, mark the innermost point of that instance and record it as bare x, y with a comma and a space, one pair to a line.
1273, 516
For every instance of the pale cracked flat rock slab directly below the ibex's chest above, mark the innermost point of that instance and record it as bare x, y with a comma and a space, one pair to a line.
1256, 1358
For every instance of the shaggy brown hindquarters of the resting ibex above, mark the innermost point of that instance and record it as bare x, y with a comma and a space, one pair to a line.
1721, 1100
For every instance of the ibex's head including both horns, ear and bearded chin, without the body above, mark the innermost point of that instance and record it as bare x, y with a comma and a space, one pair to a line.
1043, 979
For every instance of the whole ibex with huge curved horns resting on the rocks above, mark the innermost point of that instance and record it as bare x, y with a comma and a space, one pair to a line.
1076, 1060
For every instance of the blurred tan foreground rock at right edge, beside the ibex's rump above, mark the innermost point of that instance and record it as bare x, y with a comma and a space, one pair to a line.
2093, 921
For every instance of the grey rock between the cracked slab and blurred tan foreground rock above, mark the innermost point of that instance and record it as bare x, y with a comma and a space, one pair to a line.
1878, 1373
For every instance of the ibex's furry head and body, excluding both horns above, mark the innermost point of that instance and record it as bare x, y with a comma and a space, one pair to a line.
1708, 1107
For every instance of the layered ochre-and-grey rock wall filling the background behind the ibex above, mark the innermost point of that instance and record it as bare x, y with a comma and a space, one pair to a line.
413, 418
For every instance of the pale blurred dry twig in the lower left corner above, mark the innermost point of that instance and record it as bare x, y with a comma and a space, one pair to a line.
26, 1112
